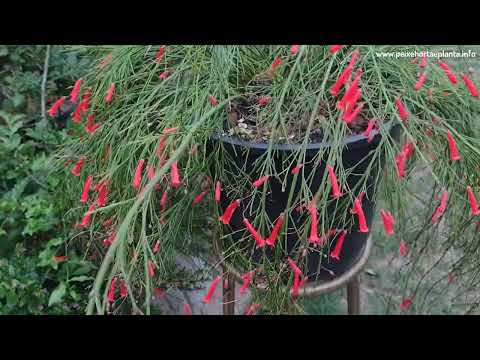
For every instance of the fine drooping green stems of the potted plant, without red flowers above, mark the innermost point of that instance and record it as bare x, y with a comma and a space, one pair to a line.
178, 92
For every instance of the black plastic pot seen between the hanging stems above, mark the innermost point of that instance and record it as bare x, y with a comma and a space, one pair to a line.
357, 154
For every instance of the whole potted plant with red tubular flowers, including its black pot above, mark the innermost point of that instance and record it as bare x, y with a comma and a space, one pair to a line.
284, 146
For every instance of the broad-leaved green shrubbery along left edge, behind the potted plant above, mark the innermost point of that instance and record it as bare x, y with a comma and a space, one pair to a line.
32, 280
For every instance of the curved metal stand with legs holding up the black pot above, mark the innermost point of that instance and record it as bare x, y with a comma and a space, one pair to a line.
350, 280
